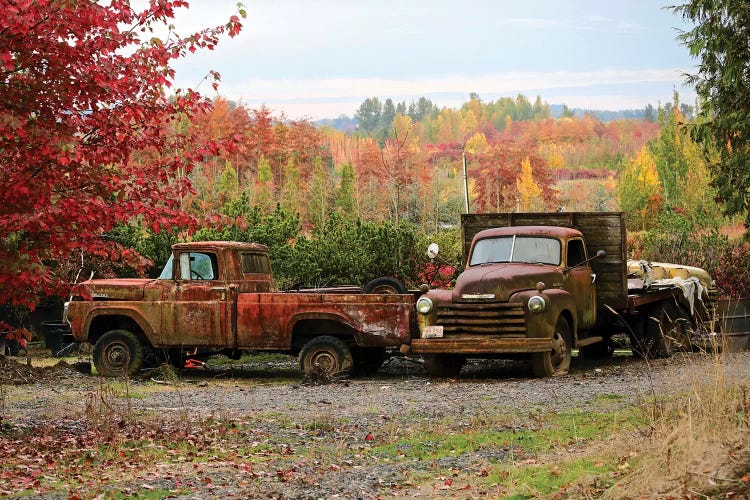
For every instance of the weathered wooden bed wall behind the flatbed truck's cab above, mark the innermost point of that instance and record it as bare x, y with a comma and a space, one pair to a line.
601, 230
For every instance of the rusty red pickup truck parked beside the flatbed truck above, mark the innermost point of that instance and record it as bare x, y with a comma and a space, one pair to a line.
219, 297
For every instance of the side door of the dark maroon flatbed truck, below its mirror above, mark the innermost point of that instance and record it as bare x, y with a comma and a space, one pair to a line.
580, 282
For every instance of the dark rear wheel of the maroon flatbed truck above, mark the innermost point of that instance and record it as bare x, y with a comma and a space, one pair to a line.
668, 329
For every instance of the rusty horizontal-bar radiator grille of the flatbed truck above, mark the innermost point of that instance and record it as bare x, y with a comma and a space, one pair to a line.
495, 318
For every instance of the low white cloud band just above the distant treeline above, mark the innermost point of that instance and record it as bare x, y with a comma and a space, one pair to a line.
319, 98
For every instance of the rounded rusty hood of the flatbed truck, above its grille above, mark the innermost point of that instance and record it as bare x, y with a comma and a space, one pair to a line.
503, 280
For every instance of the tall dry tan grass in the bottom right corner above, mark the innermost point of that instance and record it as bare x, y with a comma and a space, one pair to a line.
696, 444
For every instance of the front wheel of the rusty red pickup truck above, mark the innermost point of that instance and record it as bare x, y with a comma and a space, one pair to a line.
118, 353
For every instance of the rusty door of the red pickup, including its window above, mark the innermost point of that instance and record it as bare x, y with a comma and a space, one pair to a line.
194, 309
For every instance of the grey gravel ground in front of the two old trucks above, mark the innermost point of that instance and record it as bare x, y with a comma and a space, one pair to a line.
282, 406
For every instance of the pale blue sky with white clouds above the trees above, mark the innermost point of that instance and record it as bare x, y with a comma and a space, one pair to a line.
322, 58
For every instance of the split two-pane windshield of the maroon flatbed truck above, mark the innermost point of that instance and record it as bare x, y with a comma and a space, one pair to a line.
516, 249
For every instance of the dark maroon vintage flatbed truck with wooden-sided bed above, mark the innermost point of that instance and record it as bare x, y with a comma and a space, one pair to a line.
538, 285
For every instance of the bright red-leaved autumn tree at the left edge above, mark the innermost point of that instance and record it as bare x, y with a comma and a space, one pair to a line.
83, 86
